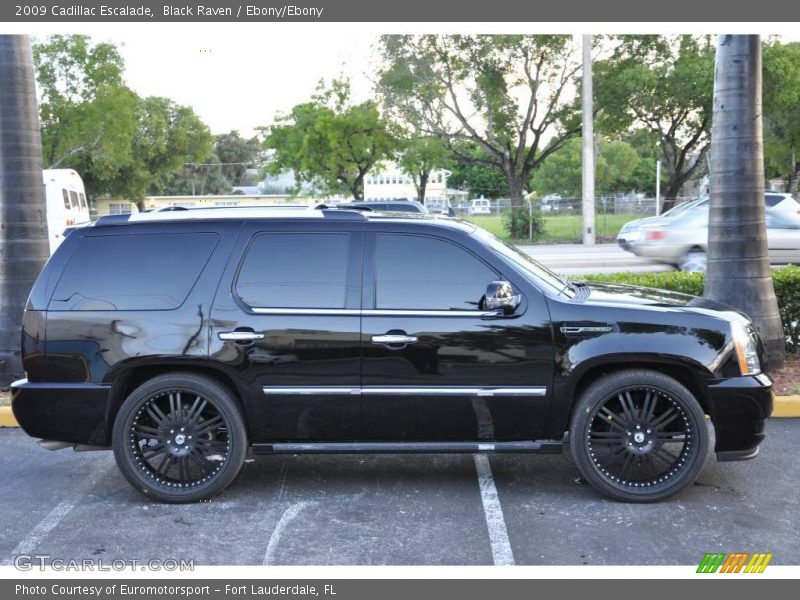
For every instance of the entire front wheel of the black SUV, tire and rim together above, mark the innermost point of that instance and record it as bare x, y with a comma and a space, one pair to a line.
638, 436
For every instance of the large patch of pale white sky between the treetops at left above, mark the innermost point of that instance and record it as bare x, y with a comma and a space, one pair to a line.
241, 81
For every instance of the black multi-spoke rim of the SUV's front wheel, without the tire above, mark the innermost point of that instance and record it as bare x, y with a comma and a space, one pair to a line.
640, 438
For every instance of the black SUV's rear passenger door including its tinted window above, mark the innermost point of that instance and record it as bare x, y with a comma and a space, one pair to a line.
297, 305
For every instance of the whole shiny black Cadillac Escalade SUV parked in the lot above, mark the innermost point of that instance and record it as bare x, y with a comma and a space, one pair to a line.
185, 340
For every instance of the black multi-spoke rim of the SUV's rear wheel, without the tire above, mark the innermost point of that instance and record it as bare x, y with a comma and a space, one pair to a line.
179, 439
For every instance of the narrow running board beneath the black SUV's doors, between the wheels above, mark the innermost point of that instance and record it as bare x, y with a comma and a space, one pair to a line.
538, 446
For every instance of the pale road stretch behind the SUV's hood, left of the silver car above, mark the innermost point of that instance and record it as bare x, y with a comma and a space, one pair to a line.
577, 259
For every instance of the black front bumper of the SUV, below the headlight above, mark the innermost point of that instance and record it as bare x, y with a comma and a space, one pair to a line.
739, 408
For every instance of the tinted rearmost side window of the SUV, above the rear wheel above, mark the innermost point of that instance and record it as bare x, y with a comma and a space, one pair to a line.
133, 272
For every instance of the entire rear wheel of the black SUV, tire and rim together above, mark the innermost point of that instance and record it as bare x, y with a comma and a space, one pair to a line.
174, 465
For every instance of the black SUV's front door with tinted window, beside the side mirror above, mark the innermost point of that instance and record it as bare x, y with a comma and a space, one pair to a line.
461, 376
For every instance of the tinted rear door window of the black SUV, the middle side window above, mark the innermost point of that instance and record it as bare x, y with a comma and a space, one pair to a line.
295, 270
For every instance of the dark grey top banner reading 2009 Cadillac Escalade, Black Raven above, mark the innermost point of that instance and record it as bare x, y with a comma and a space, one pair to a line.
494, 11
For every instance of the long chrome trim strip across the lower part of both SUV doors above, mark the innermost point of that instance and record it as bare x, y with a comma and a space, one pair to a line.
400, 390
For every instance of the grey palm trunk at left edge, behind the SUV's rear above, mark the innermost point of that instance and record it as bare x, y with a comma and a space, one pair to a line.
23, 219
